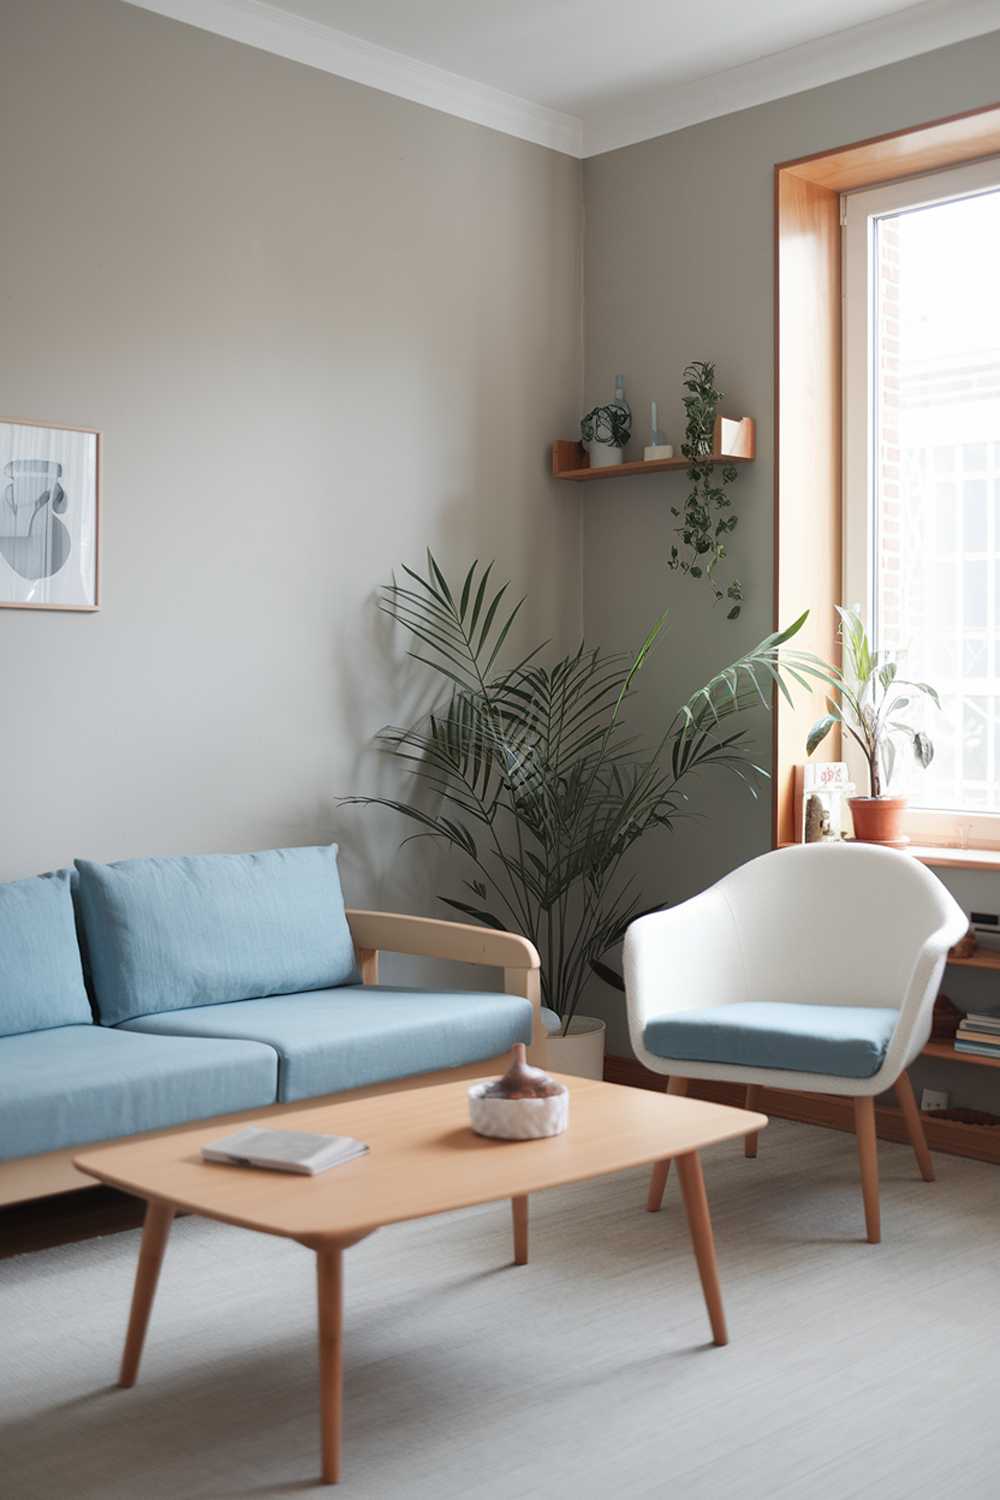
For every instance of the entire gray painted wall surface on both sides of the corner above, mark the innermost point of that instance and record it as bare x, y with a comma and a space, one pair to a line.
320, 329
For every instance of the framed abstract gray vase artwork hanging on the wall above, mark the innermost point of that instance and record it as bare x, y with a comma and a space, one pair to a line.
50, 502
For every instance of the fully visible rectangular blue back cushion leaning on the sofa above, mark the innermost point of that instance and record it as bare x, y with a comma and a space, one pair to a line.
164, 935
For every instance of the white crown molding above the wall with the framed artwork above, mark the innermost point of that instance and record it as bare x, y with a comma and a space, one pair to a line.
302, 41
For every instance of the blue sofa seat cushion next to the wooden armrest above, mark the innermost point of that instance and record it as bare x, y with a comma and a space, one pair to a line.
356, 1036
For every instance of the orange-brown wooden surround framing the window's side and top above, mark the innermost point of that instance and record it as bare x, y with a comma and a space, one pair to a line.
809, 389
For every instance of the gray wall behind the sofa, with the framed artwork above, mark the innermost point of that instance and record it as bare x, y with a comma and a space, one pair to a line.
322, 329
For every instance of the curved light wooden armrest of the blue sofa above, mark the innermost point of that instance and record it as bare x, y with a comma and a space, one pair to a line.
464, 943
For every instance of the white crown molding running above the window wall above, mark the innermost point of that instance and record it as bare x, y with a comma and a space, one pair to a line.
857, 50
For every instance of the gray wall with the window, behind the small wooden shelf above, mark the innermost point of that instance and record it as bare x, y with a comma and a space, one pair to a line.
680, 266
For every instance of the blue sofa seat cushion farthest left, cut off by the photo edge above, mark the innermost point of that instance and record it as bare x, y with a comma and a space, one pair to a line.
83, 1084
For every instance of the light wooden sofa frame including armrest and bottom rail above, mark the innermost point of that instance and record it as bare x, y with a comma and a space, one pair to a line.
373, 932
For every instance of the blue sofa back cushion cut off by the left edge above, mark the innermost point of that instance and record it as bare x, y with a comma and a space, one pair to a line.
41, 973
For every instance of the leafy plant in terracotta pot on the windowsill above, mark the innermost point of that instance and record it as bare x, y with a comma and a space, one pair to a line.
872, 701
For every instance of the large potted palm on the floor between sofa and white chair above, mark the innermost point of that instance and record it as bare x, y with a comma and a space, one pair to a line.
528, 773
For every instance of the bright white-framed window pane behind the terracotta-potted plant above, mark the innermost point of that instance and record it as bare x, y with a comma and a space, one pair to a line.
923, 473
